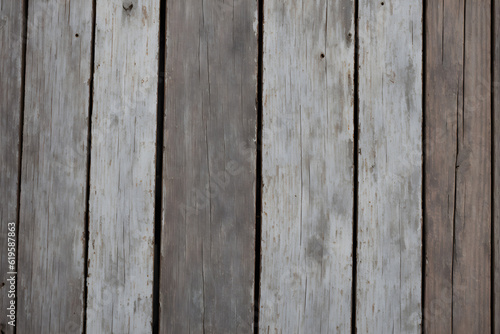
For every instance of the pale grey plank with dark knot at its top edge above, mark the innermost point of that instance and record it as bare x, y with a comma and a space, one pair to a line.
122, 173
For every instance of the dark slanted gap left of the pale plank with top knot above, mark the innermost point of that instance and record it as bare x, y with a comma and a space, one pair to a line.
87, 192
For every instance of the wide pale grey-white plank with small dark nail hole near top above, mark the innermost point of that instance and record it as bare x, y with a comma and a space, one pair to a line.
307, 172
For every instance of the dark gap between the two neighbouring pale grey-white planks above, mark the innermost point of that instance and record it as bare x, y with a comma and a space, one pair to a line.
355, 169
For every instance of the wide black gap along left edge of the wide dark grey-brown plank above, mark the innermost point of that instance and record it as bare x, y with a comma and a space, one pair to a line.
159, 166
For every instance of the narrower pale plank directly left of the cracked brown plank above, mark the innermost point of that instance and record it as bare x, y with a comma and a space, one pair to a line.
390, 167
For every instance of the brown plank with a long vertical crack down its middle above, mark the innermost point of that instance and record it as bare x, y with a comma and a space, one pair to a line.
458, 167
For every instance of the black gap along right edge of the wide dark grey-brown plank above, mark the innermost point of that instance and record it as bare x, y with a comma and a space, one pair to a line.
258, 177
